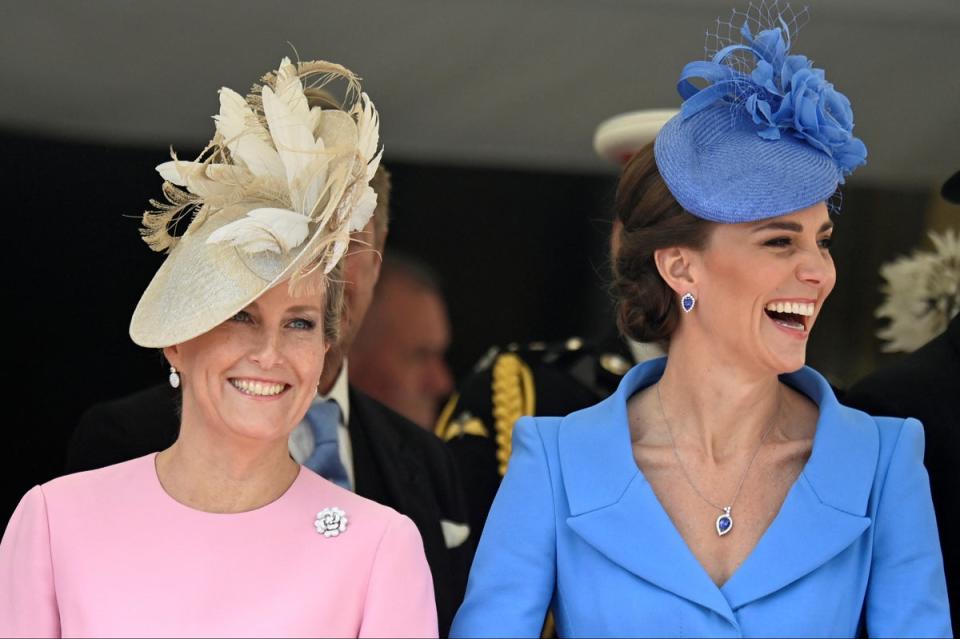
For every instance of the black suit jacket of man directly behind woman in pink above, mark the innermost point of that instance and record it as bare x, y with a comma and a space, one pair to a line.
395, 463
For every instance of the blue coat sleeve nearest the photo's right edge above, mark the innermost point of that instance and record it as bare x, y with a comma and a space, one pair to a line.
907, 592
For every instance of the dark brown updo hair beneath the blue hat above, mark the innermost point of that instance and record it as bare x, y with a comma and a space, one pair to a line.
648, 310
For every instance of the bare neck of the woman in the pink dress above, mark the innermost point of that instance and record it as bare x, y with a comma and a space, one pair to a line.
218, 473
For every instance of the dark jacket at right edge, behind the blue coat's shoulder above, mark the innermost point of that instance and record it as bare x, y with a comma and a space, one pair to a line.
926, 385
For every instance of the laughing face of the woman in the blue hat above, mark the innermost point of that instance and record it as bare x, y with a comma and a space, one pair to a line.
760, 287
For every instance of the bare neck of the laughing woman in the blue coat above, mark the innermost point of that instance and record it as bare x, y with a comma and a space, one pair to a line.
717, 404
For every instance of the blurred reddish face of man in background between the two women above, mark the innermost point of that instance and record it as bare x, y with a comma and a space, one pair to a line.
398, 354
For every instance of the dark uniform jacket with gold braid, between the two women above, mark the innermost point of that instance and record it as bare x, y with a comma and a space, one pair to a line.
536, 379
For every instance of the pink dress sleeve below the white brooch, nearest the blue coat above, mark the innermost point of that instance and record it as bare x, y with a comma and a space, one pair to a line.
400, 600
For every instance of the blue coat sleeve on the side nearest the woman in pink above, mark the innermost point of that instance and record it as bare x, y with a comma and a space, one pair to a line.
513, 575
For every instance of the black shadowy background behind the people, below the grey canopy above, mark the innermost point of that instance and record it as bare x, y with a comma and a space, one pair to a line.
522, 256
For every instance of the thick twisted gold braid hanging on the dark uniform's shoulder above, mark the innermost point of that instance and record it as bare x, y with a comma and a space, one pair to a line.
513, 397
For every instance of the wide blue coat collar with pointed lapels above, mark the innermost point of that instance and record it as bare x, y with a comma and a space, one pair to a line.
824, 512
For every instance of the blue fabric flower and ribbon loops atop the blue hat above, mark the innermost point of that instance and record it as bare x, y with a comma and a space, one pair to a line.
783, 95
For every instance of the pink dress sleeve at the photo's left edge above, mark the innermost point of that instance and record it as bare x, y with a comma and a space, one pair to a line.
28, 601
